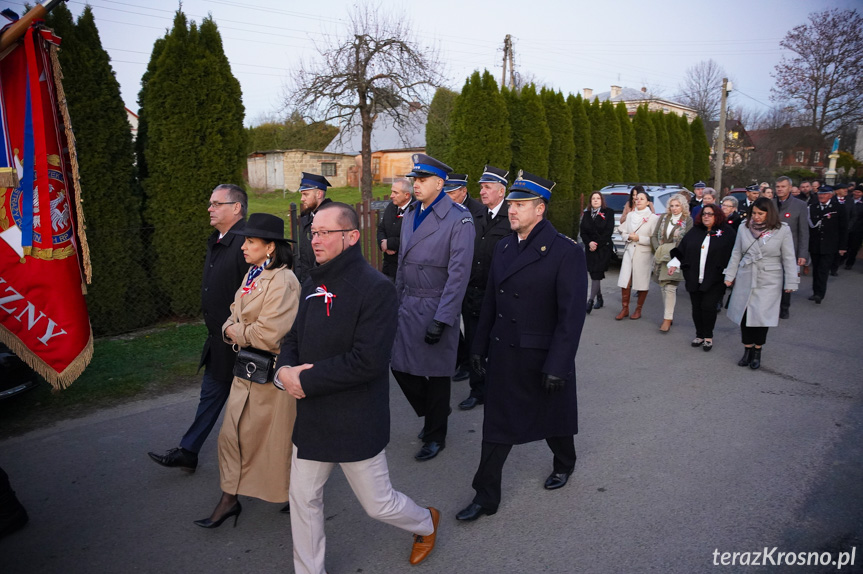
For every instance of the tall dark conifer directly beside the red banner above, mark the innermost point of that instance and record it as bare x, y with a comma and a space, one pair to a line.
119, 298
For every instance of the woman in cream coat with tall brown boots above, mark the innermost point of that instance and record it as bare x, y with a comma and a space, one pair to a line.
637, 262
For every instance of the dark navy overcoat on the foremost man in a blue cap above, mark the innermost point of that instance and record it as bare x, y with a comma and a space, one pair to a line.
530, 324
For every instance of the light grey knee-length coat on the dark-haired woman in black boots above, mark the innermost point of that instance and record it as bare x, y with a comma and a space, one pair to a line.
759, 274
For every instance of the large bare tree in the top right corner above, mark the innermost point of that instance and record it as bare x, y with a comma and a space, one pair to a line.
823, 77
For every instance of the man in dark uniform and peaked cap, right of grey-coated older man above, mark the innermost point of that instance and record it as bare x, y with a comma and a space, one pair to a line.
828, 235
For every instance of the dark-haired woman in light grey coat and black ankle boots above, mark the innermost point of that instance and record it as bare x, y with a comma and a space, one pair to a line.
762, 266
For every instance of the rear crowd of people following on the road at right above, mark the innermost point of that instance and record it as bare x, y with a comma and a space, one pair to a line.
756, 248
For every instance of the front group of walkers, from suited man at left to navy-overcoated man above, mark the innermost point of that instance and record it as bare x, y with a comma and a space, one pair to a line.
301, 344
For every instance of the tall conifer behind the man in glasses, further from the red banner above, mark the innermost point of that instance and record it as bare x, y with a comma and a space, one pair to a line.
195, 140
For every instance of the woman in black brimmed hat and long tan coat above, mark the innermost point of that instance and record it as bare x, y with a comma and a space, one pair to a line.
255, 441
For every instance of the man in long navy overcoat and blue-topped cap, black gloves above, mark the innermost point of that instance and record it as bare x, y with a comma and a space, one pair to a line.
529, 330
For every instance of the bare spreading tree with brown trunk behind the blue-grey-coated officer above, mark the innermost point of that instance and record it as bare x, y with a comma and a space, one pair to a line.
377, 67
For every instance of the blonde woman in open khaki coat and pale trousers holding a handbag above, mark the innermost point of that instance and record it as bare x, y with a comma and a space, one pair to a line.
672, 226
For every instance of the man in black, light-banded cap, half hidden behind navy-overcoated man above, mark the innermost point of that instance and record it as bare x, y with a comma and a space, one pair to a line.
492, 224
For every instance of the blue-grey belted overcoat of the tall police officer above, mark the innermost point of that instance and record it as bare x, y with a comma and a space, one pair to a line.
433, 271
